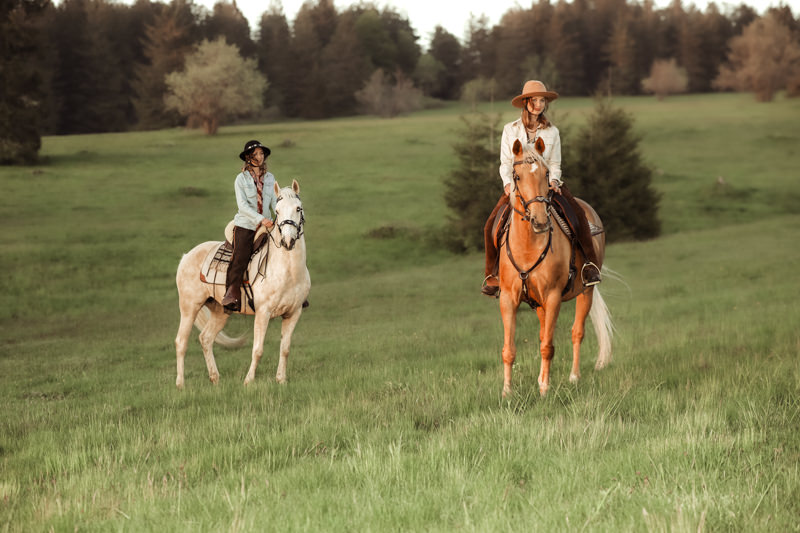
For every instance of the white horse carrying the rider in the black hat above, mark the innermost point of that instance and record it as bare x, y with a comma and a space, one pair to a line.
280, 290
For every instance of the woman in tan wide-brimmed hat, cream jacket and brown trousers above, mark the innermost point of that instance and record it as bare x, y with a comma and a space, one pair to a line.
531, 126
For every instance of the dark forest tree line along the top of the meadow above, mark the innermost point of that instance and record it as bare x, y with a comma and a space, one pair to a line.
98, 66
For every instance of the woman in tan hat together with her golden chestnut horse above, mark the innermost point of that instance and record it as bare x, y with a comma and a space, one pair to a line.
537, 263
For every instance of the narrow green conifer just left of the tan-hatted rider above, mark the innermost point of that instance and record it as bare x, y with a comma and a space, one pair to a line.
473, 188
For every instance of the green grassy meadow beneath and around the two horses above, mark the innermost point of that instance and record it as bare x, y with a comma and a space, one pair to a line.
392, 418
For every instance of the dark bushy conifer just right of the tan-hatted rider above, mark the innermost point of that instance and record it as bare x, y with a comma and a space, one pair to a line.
604, 167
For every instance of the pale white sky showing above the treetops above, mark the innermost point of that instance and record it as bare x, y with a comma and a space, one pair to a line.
453, 15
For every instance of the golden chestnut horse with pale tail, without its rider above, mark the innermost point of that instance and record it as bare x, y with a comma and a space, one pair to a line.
536, 269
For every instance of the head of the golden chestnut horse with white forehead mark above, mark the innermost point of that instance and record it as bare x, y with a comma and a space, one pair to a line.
531, 187
